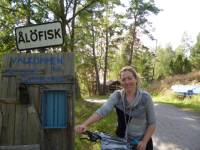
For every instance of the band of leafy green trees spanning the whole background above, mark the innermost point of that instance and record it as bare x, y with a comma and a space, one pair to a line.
103, 39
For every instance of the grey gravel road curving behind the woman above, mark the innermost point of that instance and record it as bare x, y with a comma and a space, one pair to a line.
176, 129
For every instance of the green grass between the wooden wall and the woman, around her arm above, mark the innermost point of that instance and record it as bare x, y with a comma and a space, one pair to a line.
83, 111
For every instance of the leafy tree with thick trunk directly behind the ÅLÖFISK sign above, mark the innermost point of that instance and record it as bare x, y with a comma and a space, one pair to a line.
24, 12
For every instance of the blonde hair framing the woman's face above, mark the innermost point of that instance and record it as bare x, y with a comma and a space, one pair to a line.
133, 71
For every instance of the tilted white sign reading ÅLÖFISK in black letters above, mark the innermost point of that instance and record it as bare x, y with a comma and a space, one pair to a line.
37, 36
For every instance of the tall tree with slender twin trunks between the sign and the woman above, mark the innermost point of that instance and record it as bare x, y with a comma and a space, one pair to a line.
101, 32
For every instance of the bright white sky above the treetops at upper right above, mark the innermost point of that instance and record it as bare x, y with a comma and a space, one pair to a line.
177, 17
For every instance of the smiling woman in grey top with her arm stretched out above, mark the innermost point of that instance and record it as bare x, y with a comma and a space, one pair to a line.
134, 108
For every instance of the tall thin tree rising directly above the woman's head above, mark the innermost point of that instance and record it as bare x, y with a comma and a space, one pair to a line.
138, 13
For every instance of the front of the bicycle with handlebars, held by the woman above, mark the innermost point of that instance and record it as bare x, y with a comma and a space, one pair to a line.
109, 142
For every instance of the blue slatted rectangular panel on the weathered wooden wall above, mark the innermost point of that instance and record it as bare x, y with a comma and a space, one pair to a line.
54, 109
